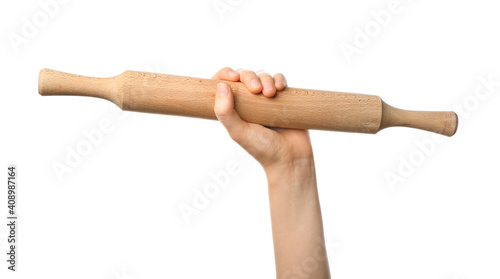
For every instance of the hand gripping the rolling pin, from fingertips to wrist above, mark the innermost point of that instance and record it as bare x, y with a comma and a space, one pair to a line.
272, 148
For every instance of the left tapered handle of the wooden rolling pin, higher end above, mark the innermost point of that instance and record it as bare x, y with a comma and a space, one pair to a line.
52, 83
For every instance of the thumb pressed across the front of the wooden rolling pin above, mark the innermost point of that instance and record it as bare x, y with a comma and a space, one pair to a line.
224, 110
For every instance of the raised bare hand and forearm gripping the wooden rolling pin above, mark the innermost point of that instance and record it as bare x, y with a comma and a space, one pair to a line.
287, 158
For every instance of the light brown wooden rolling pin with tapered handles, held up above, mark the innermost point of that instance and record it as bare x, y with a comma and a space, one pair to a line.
290, 108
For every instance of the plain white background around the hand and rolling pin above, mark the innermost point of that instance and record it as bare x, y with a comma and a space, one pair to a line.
116, 215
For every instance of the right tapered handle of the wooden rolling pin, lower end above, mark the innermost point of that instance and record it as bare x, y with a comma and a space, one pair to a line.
441, 122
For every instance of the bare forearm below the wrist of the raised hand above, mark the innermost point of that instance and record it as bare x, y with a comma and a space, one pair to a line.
299, 244
